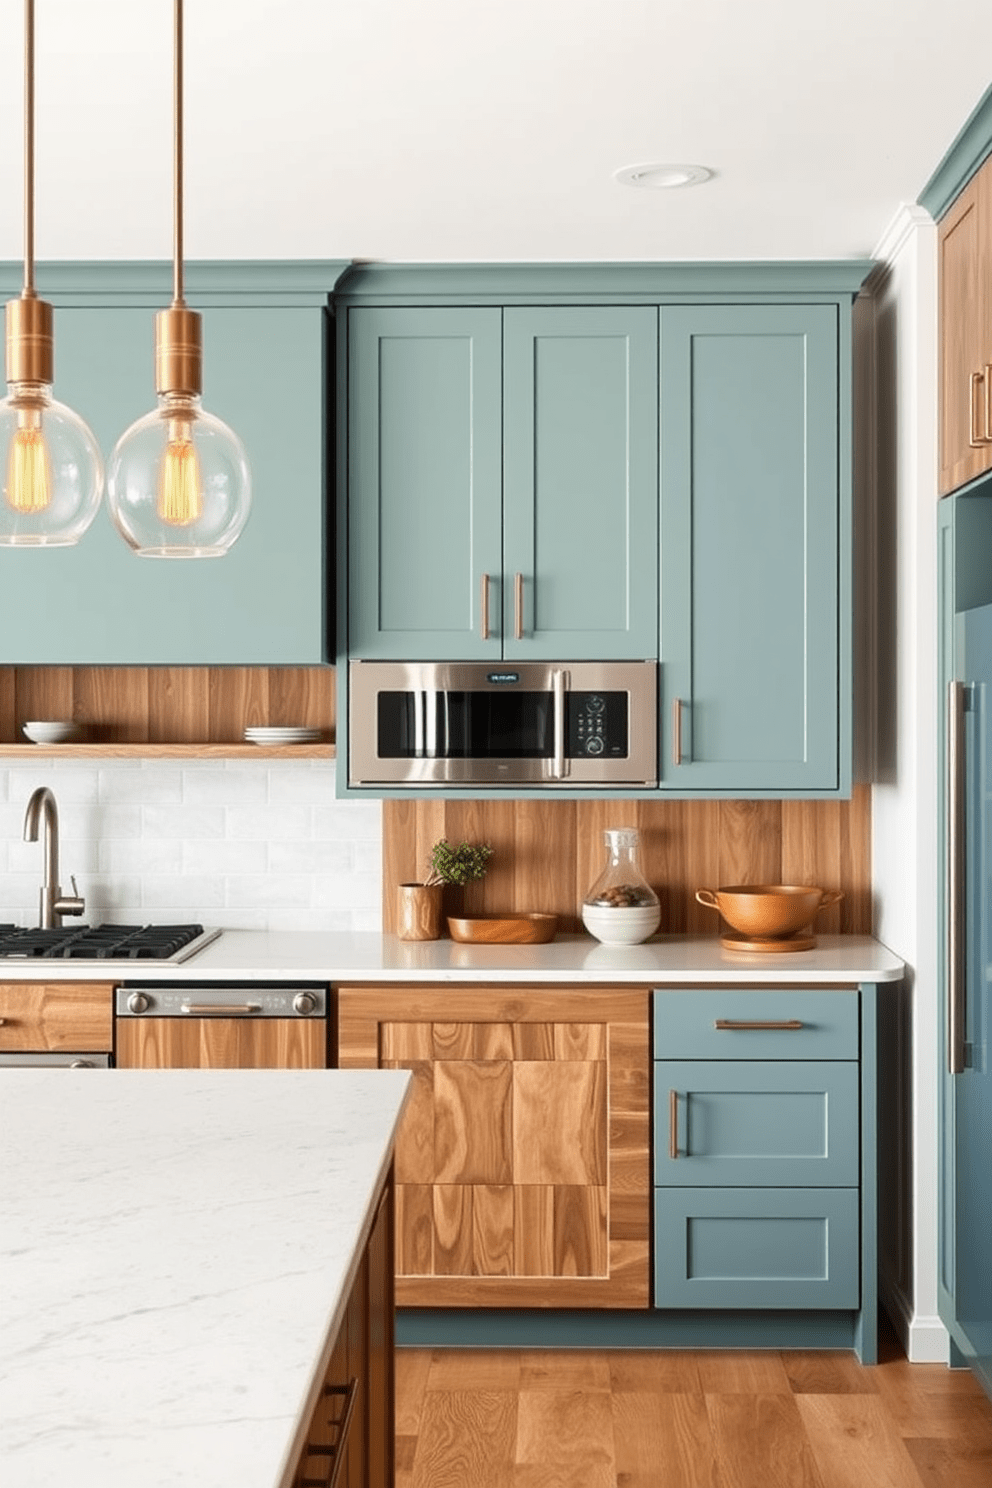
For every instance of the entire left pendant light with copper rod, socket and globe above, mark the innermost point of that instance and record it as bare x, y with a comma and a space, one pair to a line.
51, 471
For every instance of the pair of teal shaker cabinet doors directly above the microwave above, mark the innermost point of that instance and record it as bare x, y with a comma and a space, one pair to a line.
503, 483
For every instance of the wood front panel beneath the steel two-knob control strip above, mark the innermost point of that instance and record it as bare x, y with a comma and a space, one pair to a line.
221, 1044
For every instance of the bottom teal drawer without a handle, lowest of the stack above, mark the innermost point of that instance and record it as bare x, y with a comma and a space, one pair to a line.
756, 1249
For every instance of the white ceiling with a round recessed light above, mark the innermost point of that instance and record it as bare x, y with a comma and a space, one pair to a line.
447, 130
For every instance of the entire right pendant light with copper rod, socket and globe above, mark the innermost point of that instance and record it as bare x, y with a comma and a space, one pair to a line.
178, 481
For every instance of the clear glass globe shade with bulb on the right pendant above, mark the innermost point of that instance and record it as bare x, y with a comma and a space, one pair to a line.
179, 483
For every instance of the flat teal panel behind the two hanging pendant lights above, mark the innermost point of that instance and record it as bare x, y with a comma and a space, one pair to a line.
264, 603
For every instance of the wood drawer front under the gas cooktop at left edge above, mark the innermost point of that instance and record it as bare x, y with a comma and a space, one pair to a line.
56, 1017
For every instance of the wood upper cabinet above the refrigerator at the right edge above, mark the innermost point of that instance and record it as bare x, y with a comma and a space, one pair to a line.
964, 245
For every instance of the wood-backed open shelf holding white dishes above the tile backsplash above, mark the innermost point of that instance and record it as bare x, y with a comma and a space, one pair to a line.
167, 712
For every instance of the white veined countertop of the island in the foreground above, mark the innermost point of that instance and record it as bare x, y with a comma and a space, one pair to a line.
176, 1249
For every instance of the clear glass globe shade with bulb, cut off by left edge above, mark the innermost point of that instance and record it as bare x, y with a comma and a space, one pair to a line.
51, 472
